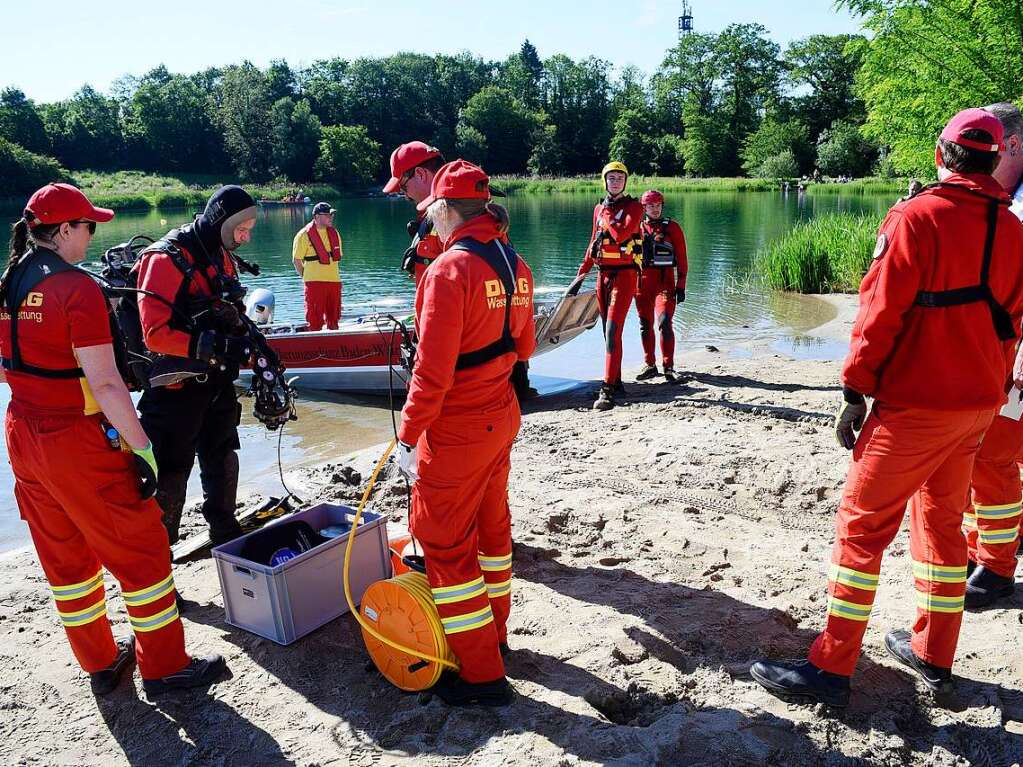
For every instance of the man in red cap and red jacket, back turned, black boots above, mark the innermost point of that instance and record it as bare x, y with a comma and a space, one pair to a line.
940, 317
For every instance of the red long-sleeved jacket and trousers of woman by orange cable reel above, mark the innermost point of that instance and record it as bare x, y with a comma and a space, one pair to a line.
464, 424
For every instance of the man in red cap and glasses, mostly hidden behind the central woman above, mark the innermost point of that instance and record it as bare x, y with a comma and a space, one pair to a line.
413, 169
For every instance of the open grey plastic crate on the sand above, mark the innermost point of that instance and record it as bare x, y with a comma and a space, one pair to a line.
286, 603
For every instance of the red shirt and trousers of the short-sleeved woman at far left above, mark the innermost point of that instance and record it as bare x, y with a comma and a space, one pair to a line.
79, 497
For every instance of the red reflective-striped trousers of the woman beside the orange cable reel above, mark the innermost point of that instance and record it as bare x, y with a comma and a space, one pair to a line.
461, 516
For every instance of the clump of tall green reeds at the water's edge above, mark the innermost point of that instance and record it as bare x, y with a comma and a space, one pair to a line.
829, 254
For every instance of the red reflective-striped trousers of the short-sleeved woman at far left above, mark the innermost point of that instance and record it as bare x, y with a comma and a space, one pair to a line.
81, 502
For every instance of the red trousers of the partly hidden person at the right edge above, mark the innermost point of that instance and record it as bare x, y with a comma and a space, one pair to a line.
993, 523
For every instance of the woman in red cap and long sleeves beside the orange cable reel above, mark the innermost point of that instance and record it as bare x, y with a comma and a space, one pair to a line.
474, 318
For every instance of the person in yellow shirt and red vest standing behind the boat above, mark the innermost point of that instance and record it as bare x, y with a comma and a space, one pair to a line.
317, 253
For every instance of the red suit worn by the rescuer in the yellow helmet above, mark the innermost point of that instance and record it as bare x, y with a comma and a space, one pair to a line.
618, 222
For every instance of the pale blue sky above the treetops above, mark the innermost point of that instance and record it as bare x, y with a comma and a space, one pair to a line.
74, 44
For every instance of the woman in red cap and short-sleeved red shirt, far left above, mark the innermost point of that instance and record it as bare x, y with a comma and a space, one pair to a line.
84, 470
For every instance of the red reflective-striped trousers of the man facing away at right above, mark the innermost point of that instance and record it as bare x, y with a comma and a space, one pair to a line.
925, 458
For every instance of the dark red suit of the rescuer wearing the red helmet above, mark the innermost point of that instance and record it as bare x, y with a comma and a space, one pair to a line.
658, 285
